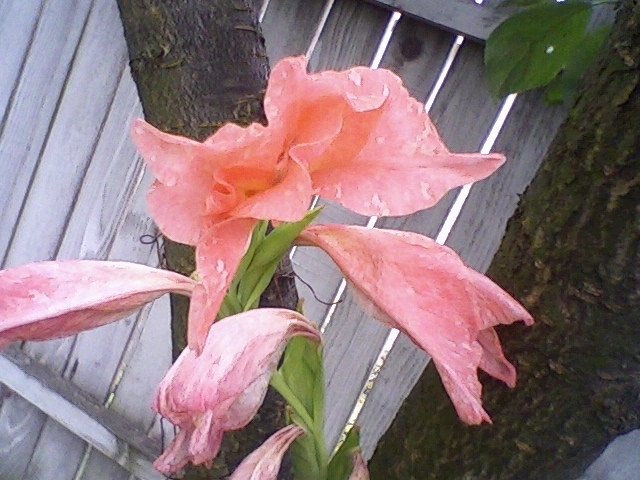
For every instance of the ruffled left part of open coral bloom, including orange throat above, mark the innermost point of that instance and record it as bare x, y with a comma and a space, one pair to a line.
200, 184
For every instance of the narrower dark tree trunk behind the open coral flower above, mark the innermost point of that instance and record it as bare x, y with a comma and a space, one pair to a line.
198, 64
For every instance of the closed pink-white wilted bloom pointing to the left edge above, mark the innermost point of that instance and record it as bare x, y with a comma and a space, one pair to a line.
47, 300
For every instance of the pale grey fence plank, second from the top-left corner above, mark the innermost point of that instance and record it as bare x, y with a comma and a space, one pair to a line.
35, 100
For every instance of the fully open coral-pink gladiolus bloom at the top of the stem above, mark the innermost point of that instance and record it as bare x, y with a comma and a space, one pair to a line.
355, 136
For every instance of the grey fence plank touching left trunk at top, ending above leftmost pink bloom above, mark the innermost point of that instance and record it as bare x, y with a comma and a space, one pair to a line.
72, 138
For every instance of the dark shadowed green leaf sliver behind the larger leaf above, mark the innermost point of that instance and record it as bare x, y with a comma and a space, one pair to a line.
564, 87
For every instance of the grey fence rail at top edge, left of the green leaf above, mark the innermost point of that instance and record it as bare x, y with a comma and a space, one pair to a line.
464, 17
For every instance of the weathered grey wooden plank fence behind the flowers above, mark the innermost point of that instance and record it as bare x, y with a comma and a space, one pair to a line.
72, 186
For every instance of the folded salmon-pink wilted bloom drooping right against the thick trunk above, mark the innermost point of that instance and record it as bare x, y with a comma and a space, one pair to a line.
423, 289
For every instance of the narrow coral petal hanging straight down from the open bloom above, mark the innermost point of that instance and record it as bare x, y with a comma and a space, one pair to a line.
218, 255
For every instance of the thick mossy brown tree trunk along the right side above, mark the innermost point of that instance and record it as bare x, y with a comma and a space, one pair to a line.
571, 254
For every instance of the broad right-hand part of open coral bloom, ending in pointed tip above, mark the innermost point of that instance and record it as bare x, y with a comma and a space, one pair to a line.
367, 143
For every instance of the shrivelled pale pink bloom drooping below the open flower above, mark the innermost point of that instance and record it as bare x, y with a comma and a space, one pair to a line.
223, 387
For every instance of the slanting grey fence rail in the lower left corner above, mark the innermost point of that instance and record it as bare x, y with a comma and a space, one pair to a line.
71, 407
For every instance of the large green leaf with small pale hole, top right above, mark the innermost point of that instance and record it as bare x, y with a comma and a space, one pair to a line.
531, 47
